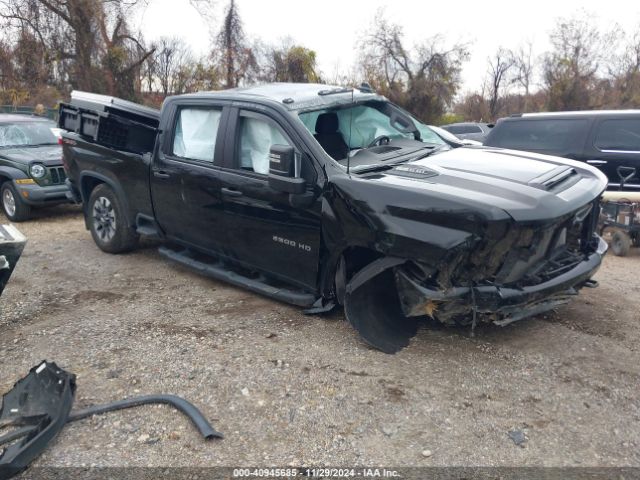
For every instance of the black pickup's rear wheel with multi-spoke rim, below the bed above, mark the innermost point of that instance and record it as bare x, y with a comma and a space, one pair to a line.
107, 222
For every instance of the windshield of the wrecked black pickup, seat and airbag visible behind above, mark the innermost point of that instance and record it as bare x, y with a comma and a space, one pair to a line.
341, 130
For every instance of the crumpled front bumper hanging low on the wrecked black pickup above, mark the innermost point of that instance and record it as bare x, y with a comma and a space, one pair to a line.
501, 305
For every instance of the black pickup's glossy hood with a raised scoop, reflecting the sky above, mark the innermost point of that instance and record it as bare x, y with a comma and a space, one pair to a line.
527, 186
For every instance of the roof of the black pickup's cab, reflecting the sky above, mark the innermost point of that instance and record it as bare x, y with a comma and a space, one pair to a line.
295, 96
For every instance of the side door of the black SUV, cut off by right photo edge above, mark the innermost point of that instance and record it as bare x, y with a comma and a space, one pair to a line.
615, 146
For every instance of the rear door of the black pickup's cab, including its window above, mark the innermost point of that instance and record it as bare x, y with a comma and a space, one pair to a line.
185, 183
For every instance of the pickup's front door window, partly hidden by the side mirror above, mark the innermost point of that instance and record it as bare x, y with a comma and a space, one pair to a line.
256, 137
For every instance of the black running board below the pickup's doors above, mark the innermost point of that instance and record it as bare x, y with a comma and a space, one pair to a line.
220, 272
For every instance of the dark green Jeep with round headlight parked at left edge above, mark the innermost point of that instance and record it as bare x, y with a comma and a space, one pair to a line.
31, 171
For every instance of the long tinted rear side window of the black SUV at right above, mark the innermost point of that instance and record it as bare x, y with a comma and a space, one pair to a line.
551, 135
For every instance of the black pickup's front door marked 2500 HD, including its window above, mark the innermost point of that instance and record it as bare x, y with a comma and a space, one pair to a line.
264, 230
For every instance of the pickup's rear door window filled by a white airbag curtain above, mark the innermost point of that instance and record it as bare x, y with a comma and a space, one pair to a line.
195, 133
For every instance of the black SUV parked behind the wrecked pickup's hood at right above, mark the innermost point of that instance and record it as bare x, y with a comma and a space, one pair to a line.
607, 139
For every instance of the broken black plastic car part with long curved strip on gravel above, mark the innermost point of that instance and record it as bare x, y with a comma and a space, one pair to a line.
39, 405
